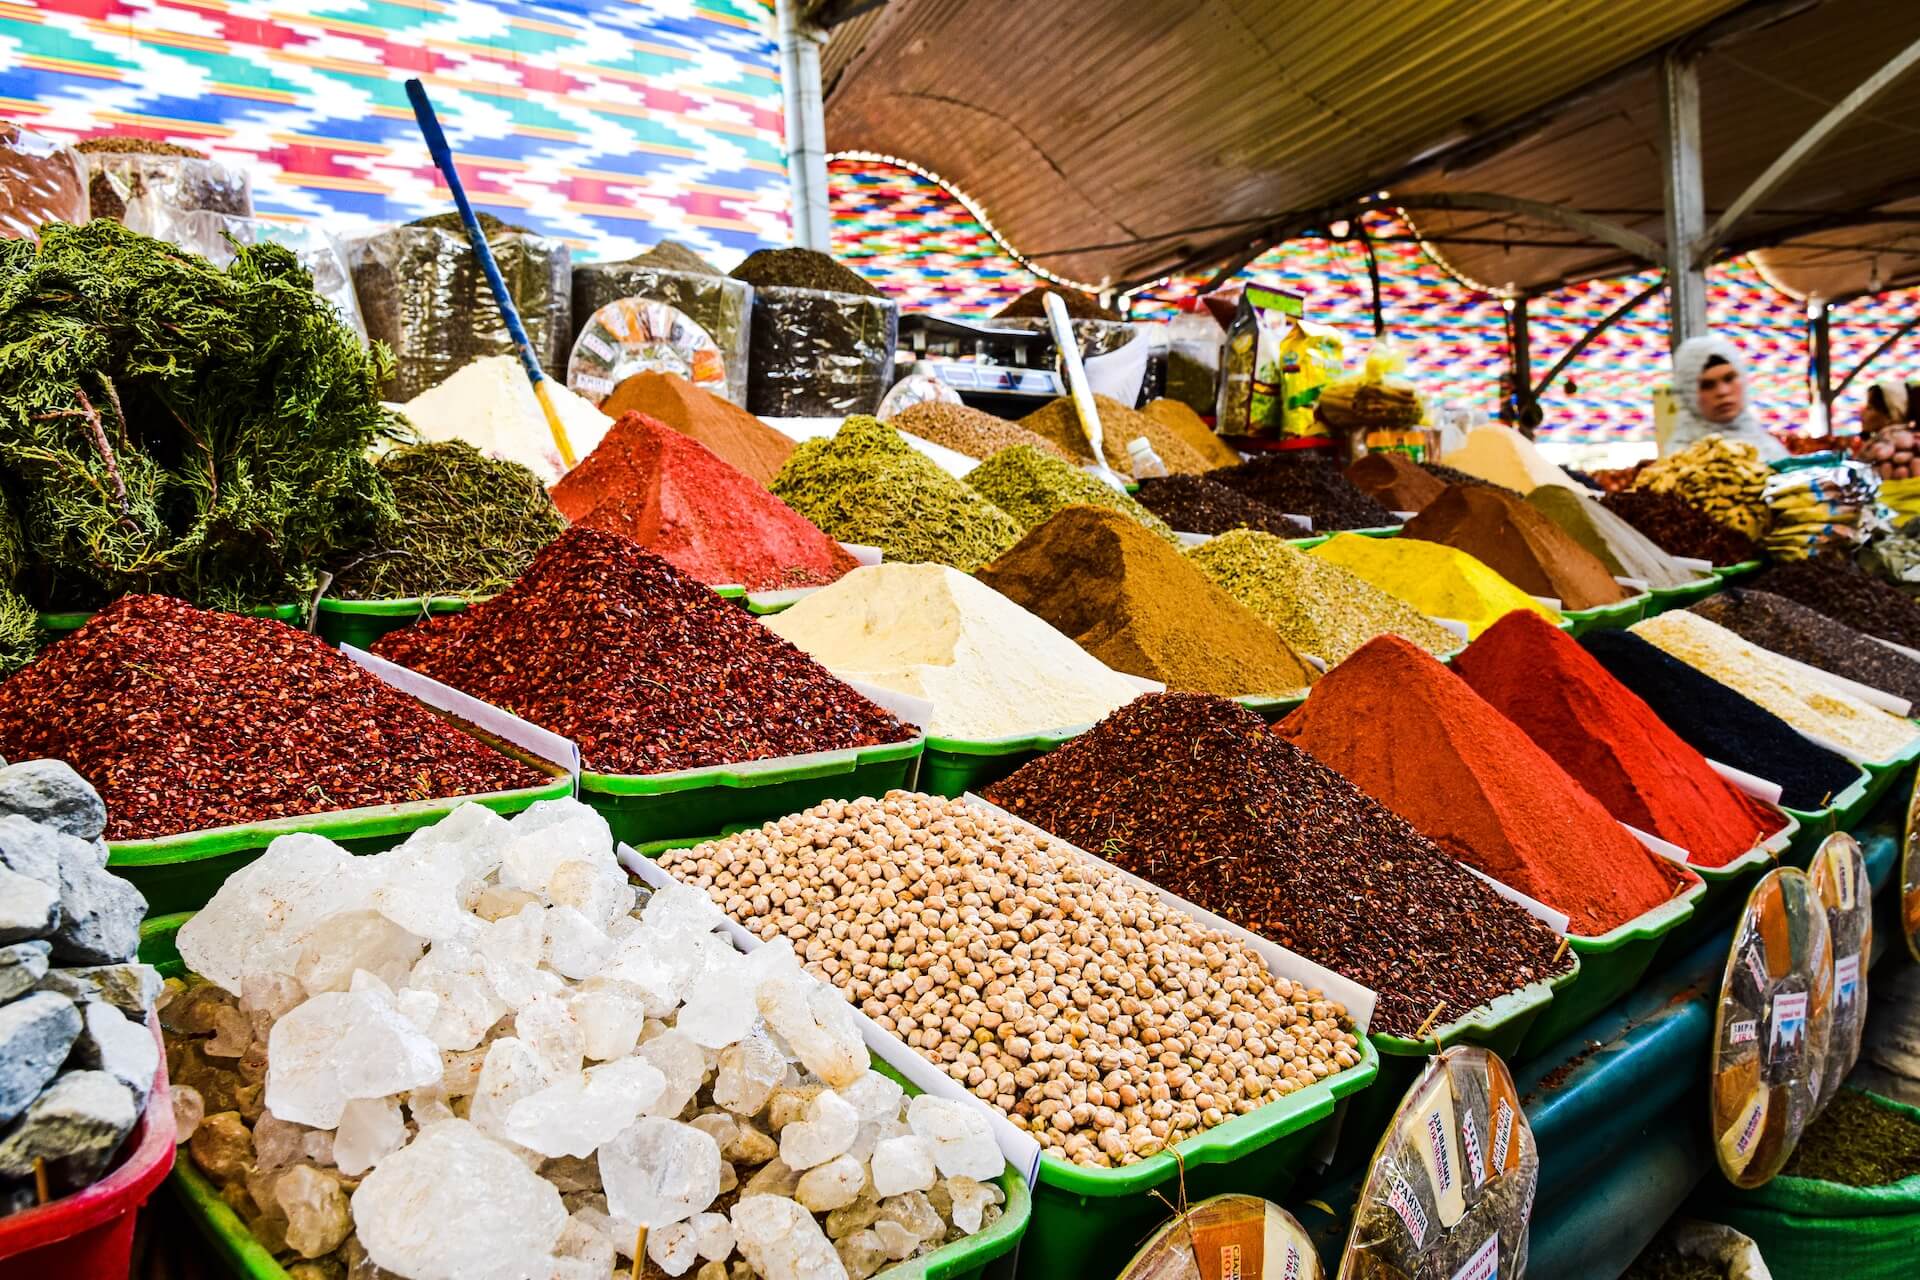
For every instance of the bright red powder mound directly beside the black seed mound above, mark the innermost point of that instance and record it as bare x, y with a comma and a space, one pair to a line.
1610, 742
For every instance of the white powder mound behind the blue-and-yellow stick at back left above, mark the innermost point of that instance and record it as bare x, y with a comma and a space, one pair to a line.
492, 406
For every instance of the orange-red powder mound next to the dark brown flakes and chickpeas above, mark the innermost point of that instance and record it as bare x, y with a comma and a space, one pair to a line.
1418, 740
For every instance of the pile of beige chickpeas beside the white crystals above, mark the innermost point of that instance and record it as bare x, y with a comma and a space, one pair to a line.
1101, 1020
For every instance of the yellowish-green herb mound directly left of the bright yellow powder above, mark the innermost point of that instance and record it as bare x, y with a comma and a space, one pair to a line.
1320, 607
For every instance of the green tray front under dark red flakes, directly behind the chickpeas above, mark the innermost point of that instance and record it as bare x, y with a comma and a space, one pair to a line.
661, 807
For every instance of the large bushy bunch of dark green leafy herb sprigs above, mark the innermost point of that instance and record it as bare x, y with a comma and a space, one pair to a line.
170, 427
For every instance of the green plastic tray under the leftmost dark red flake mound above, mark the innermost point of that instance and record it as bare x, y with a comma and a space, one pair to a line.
183, 872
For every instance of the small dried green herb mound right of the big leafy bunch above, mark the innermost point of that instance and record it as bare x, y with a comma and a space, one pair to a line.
468, 527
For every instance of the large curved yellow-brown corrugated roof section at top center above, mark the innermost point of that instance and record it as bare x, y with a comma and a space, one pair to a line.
1124, 124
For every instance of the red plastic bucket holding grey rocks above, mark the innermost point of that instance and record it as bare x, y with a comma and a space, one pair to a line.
89, 1235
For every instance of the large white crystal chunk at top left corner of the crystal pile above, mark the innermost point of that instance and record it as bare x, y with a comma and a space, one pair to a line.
262, 913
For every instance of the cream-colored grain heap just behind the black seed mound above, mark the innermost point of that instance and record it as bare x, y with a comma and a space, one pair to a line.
1769, 680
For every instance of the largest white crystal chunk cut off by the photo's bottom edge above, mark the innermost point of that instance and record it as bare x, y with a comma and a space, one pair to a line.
458, 1206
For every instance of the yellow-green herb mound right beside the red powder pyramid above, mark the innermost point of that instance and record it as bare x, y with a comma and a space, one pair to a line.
869, 486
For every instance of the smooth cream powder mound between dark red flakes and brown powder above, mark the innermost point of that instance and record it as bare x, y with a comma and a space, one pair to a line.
988, 665
